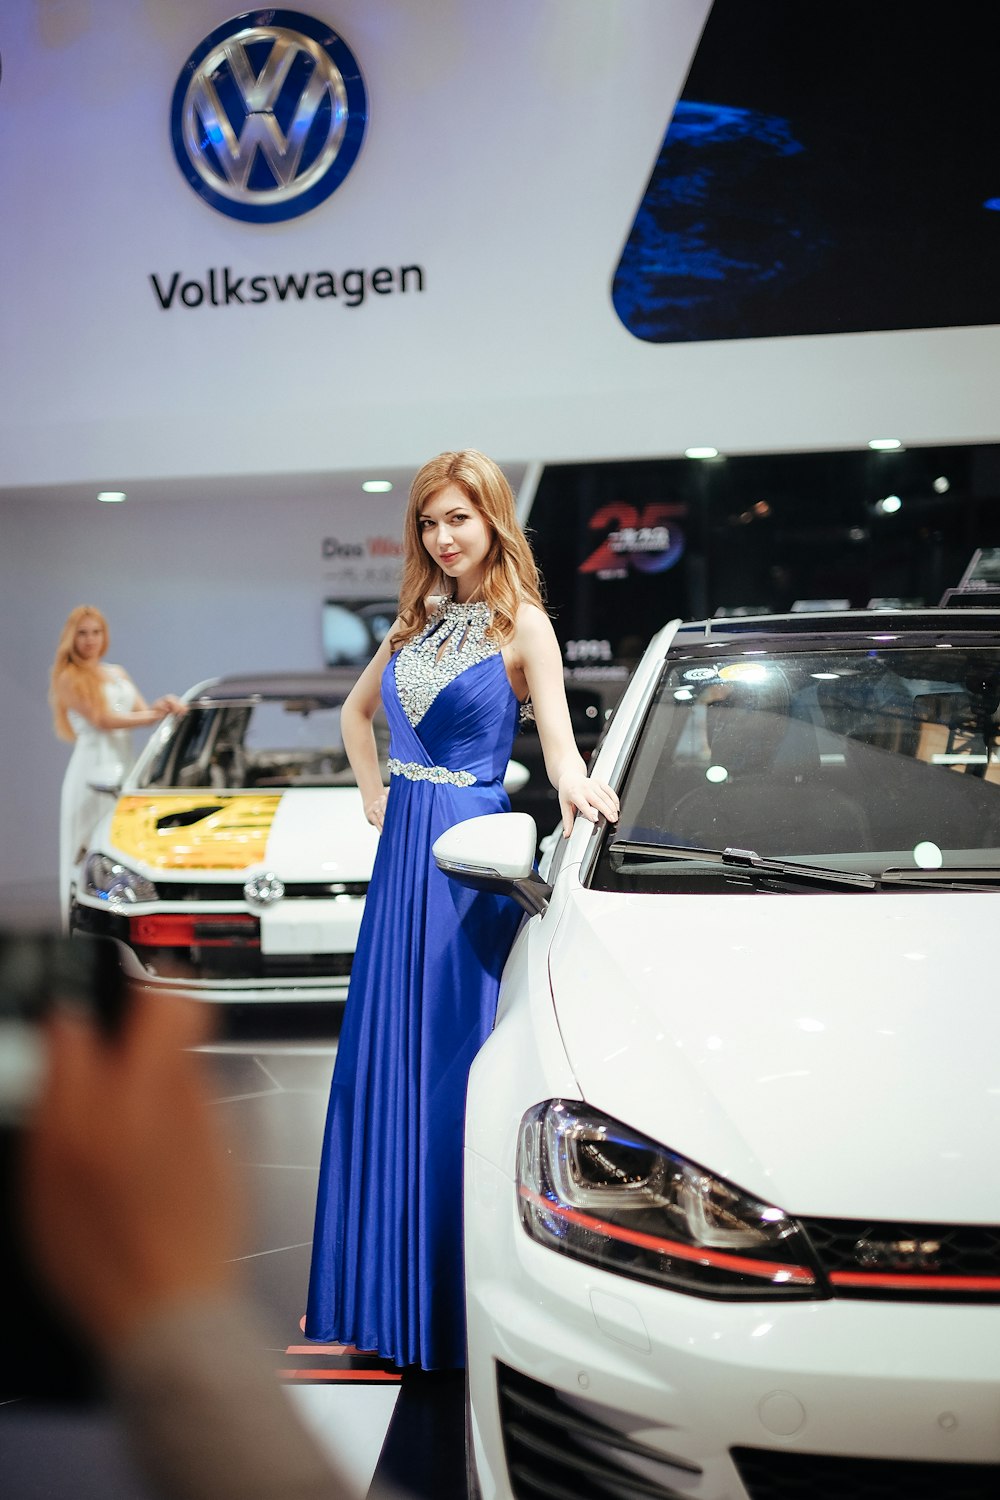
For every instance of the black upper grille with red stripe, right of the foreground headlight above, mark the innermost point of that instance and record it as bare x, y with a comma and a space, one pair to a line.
891, 1261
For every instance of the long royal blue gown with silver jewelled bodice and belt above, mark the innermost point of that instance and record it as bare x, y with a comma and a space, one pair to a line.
388, 1250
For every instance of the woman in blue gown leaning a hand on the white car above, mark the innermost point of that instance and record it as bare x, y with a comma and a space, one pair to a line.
470, 646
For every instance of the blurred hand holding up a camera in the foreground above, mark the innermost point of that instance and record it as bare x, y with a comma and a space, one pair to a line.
130, 1198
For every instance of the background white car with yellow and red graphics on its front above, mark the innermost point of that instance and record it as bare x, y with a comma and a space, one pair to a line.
236, 859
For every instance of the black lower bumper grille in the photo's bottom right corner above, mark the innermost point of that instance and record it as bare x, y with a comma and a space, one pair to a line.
770, 1475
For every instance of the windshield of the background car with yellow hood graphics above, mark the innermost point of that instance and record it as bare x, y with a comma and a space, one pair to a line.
250, 745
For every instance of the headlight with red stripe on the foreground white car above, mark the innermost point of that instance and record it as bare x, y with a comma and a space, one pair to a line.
591, 1189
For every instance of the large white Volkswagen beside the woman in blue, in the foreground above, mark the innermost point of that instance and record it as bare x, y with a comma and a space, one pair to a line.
732, 1190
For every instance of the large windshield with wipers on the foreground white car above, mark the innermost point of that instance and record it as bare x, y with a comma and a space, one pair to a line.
858, 760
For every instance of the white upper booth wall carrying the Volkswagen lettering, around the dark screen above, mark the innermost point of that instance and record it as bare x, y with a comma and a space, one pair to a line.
506, 154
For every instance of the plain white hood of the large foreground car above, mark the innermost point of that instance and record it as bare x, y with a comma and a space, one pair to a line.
834, 1054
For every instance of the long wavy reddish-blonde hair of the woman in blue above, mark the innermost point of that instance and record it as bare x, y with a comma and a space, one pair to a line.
510, 575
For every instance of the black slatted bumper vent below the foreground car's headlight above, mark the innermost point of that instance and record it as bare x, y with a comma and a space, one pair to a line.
563, 1450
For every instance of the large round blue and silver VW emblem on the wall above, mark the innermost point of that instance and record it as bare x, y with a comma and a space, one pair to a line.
269, 116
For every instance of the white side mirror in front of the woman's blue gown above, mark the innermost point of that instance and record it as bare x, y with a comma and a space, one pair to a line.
496, 853
